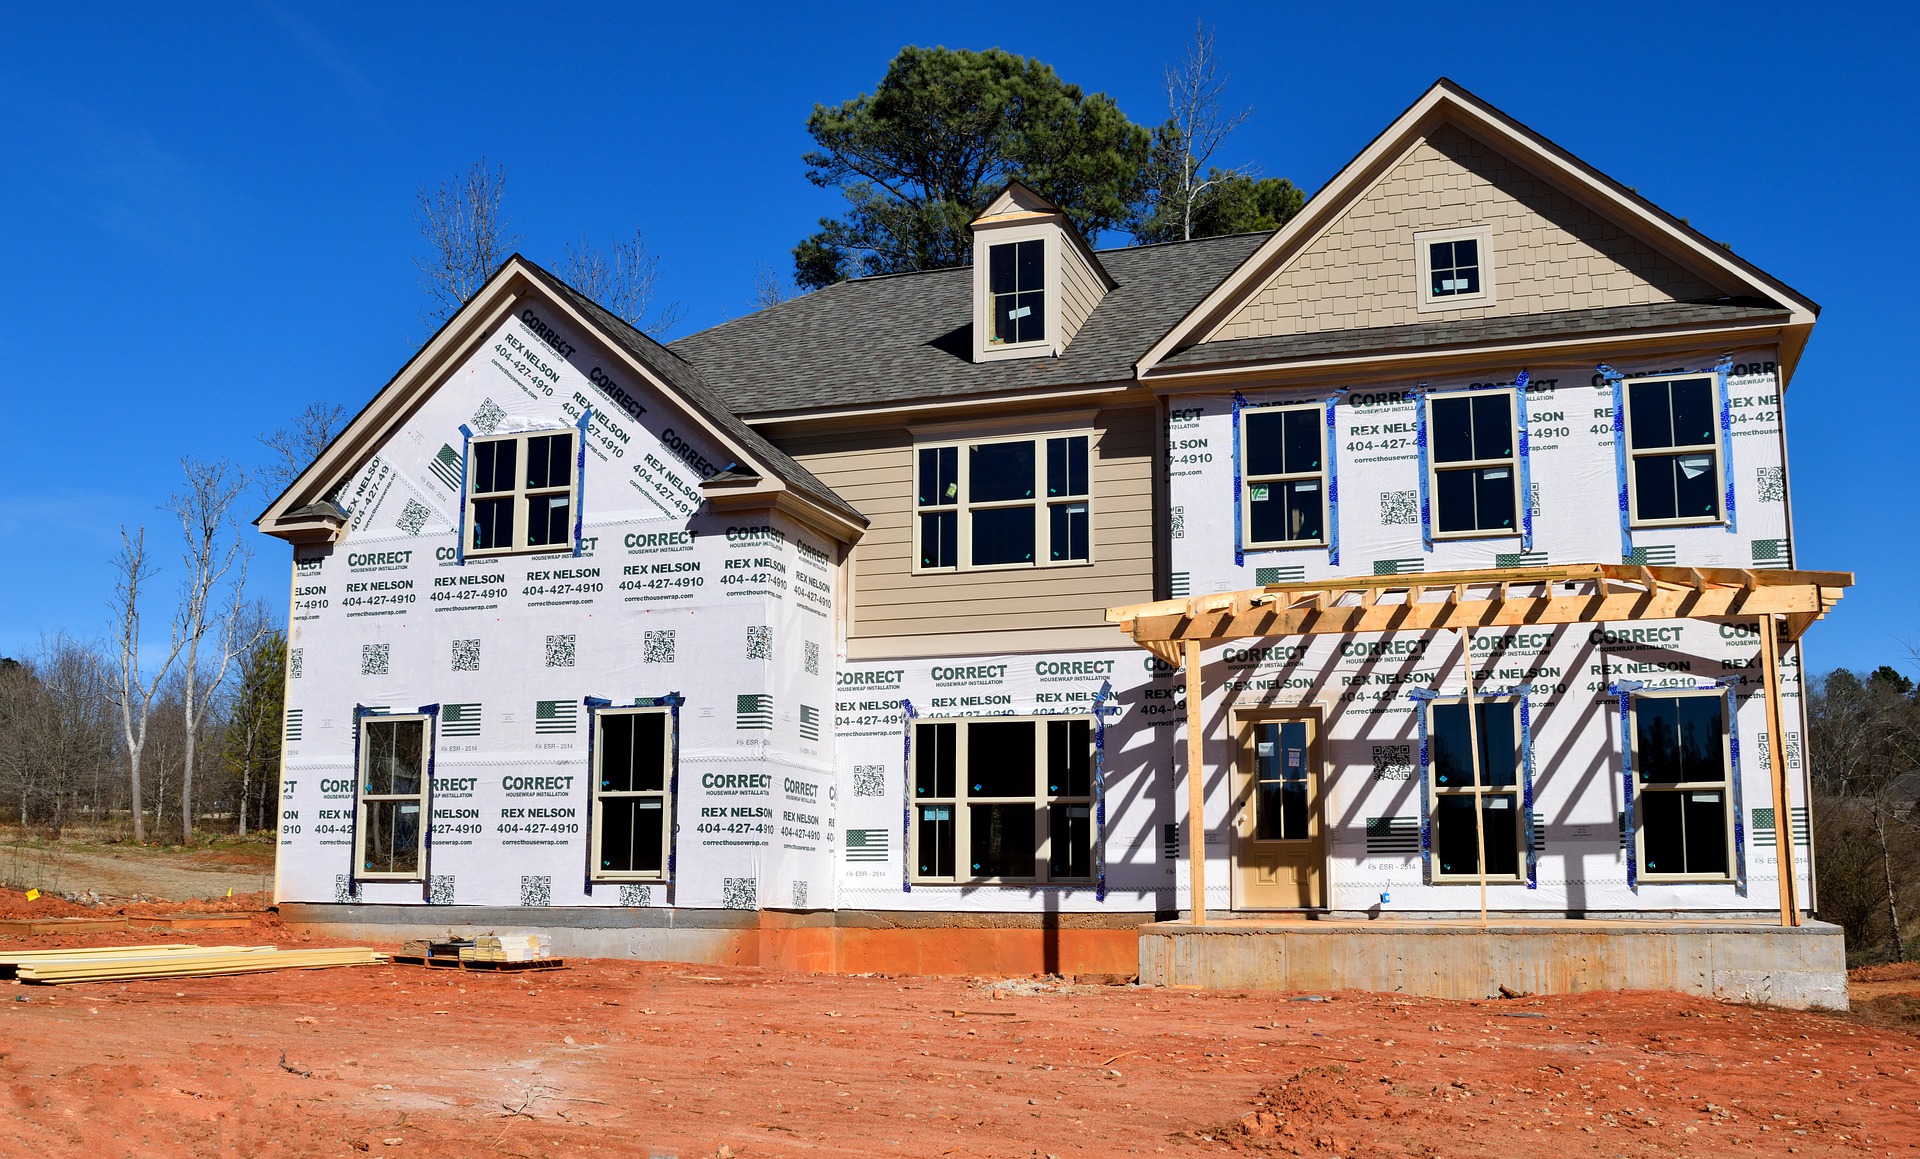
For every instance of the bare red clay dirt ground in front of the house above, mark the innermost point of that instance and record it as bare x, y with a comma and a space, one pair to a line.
619, 1058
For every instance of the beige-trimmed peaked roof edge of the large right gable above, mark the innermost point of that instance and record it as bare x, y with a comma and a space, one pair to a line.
1451, 105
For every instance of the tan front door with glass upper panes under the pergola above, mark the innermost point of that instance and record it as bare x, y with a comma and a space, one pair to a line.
1280, 847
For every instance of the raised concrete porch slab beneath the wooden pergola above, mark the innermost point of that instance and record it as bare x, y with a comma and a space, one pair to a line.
1802, 968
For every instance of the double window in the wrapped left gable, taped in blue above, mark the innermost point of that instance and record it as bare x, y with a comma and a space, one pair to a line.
521, 492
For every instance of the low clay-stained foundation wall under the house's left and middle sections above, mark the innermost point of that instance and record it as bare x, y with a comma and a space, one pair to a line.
999, 945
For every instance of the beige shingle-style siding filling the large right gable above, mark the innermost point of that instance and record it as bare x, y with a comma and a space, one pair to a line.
1548, 252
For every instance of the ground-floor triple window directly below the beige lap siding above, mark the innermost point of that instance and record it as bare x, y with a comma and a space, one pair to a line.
1003, 799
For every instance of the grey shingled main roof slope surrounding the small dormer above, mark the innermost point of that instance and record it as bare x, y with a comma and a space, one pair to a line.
905, 339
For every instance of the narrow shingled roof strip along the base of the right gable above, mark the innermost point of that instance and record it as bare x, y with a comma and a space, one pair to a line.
1468, 331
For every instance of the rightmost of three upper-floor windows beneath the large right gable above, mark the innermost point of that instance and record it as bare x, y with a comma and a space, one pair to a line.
1673, 444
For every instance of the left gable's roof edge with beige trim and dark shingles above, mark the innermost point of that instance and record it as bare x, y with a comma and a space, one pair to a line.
297, 511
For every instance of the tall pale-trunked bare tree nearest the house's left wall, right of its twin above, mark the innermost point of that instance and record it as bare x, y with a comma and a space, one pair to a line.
212, 605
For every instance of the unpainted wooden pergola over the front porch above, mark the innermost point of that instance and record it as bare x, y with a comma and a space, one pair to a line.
1785, 603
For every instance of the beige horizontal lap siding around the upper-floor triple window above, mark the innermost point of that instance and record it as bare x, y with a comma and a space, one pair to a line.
875, 471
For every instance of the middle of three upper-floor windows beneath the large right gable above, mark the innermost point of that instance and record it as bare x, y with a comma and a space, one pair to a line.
1474, 469
